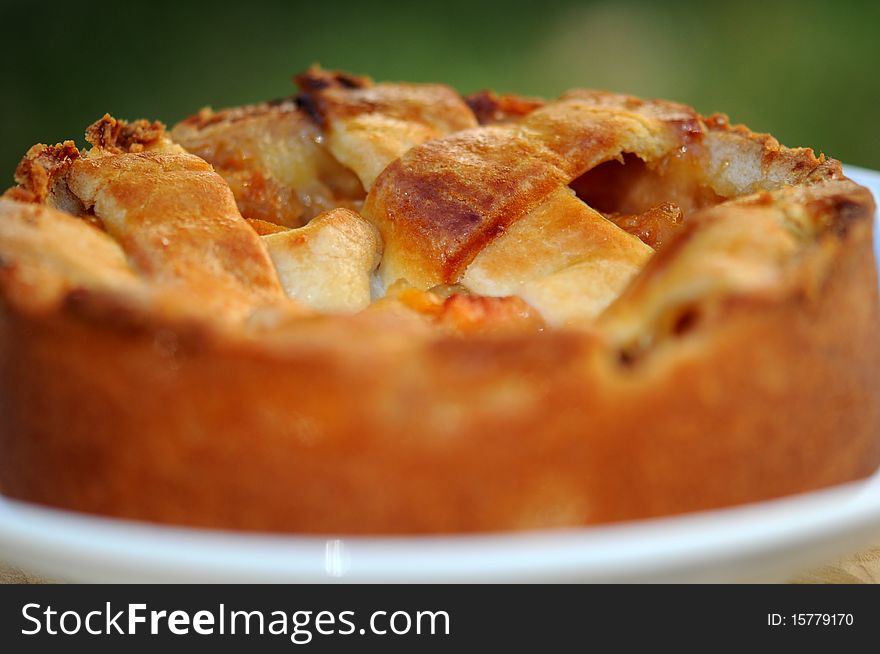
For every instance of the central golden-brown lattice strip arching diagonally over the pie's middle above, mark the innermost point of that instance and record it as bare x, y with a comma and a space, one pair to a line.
435, 217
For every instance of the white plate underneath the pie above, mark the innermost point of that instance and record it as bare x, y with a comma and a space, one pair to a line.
767, 541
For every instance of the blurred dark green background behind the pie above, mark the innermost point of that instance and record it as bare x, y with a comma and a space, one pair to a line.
806, 71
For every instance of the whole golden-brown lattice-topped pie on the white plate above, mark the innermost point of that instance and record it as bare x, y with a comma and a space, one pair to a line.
385, 308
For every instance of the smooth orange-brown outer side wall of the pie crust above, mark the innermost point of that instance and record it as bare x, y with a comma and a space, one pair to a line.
455, 435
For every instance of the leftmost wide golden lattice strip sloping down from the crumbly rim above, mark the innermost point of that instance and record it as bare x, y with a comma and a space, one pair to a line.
178, 224
